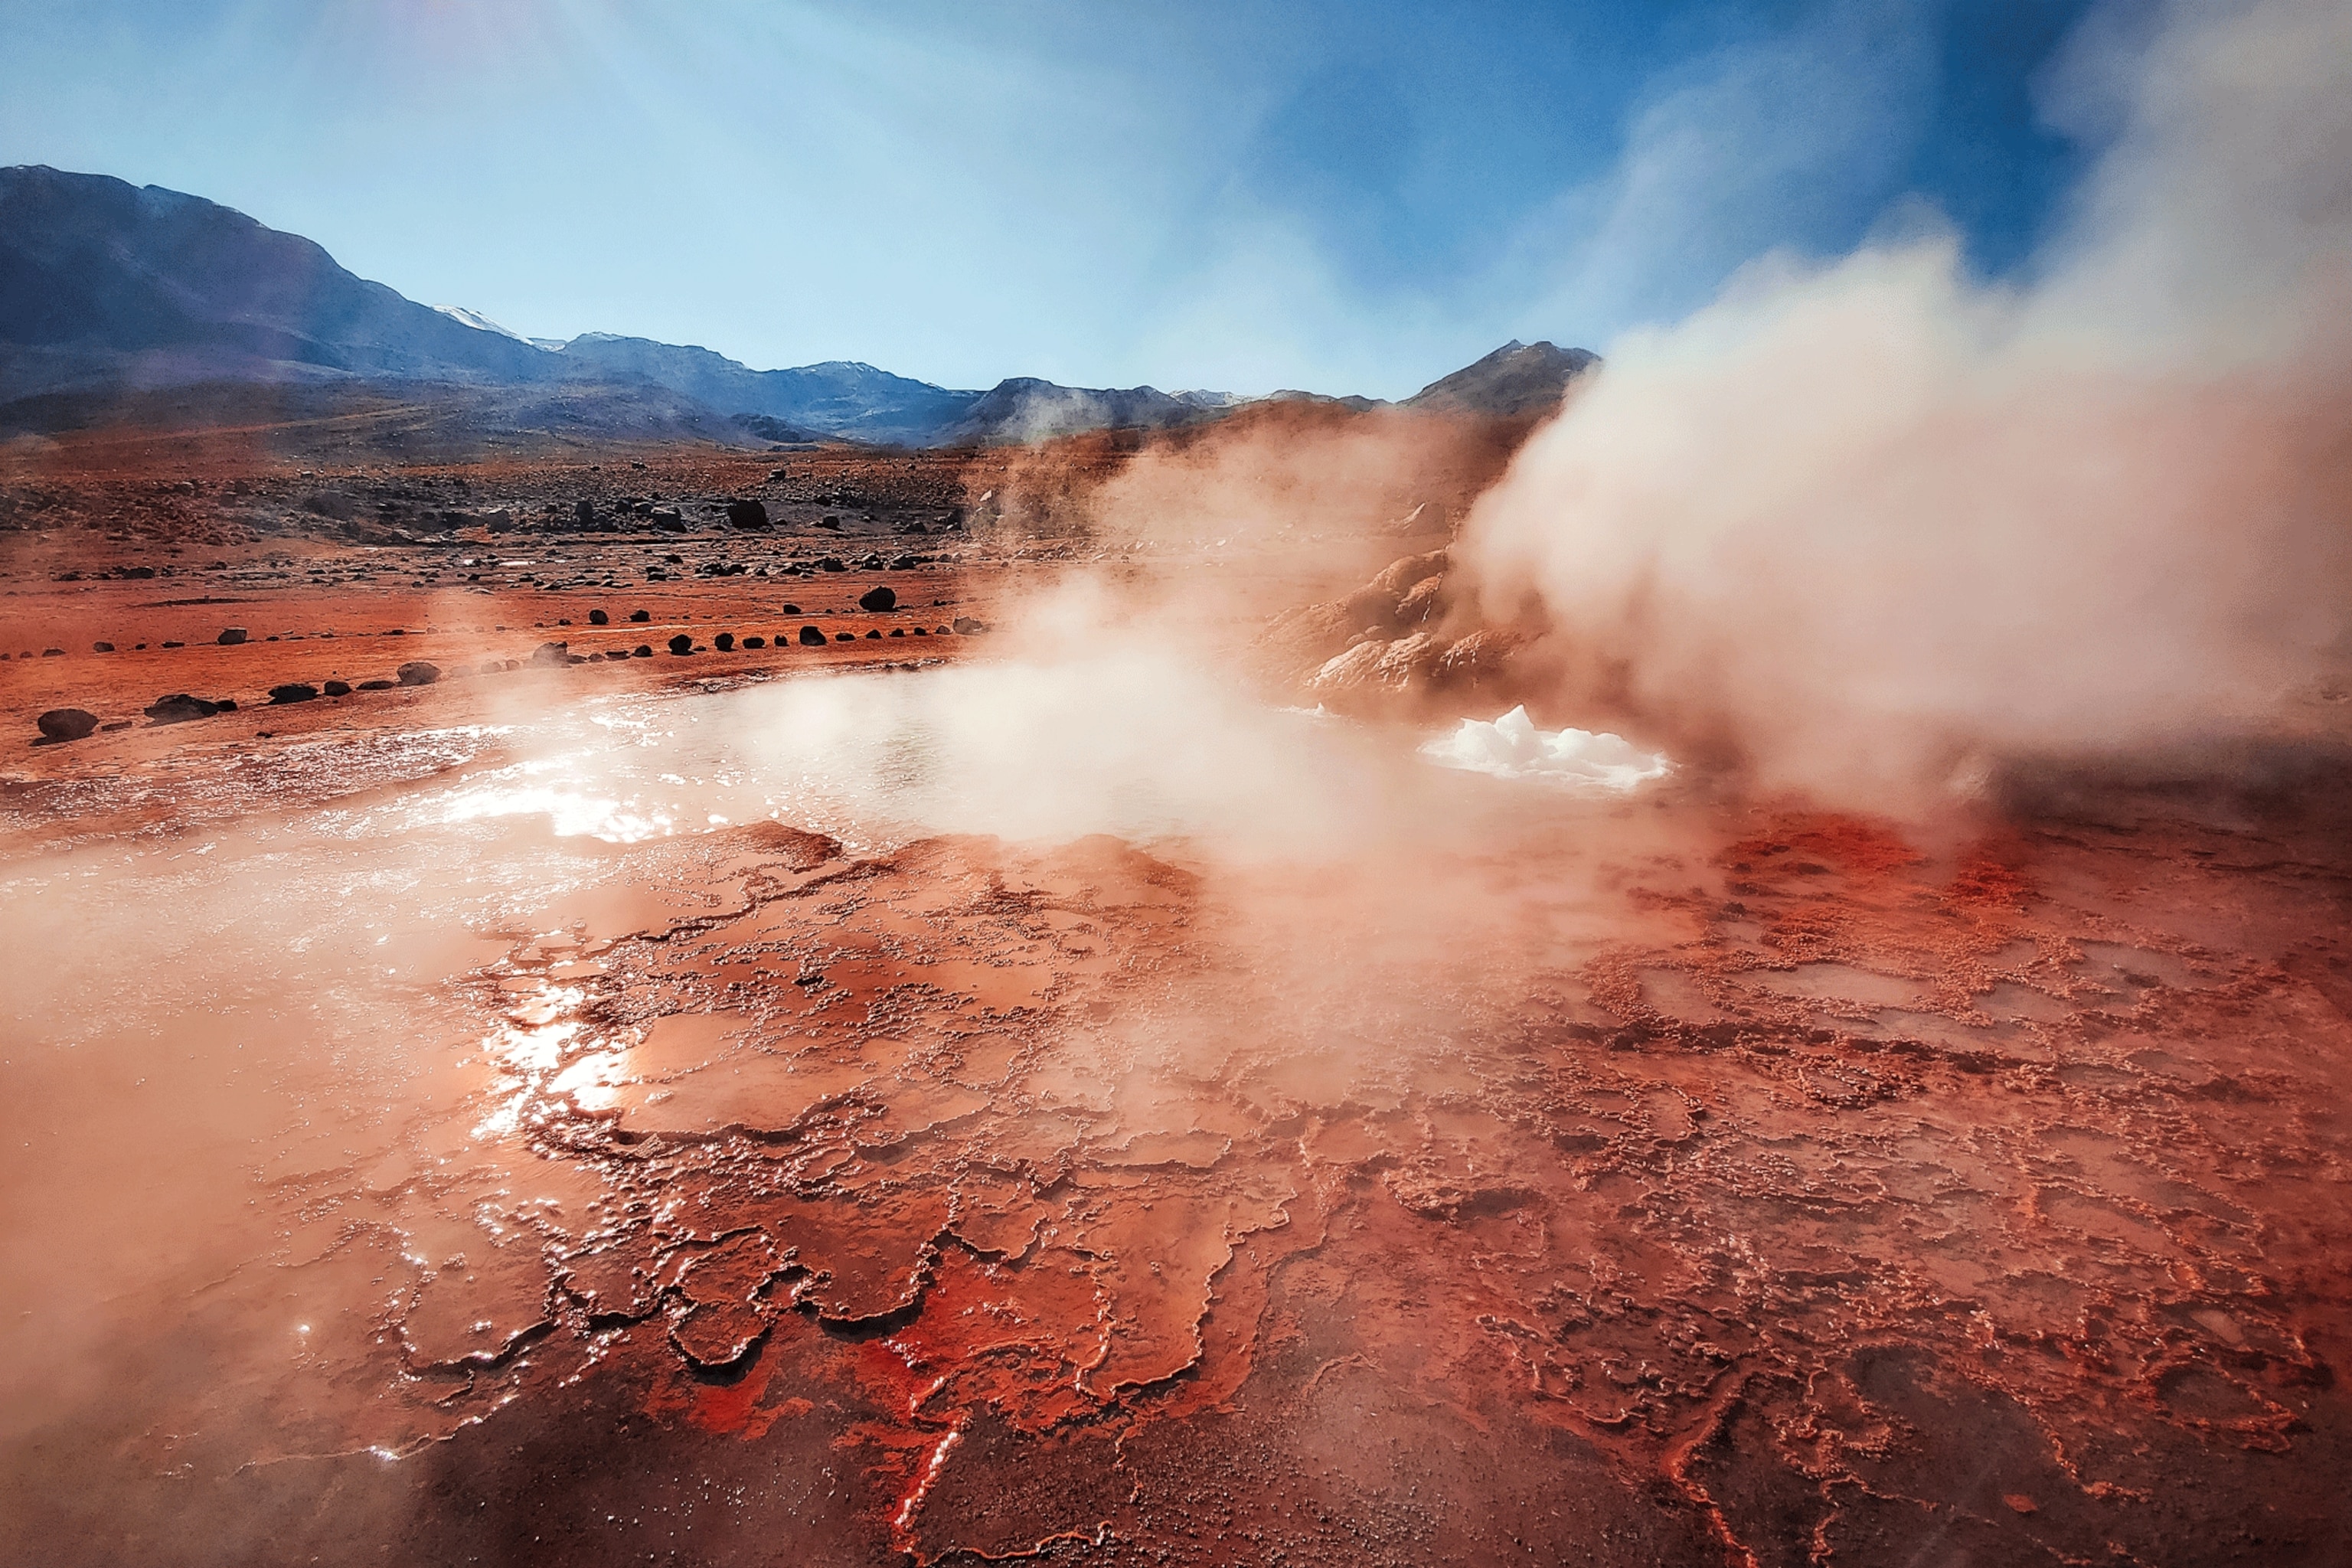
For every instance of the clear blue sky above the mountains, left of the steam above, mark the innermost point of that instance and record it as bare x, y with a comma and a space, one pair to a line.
1351, 196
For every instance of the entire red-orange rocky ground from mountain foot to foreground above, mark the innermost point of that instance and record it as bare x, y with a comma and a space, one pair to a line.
660, 1005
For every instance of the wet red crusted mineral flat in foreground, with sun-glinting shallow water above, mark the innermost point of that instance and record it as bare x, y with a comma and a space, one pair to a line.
636, 1139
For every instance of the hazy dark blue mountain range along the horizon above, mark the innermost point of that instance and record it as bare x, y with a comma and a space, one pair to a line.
114, 290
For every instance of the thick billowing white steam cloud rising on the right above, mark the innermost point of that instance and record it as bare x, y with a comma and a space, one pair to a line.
1857, 523
